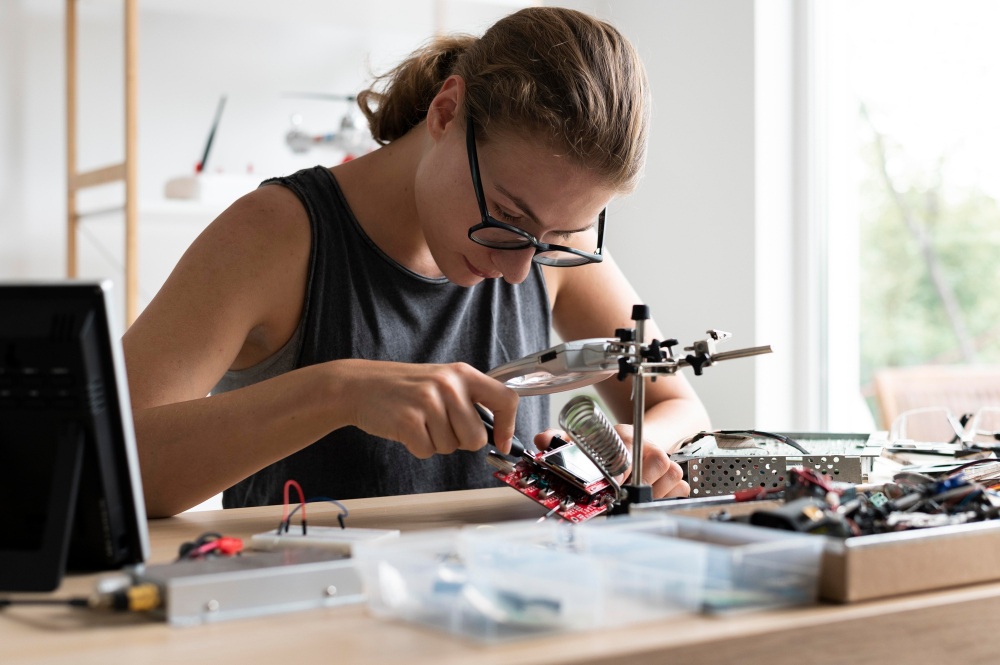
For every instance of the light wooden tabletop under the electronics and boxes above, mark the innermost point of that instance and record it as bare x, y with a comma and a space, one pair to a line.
953, 626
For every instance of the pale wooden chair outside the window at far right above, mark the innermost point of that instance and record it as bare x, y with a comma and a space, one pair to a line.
958, 388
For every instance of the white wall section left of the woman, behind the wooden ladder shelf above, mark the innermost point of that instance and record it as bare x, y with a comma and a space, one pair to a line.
190, 53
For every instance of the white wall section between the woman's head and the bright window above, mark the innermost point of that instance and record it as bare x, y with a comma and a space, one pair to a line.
708, 236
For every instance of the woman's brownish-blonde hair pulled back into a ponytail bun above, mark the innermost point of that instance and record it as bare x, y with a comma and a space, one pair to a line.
556, 73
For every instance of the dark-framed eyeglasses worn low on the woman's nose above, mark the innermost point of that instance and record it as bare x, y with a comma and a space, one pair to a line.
495, 234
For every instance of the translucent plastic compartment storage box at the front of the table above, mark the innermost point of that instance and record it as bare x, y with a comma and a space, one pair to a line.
525, 579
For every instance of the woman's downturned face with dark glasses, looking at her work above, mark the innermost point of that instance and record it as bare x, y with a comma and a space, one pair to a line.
525, 185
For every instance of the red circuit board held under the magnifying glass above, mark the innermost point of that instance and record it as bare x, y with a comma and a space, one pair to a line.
549, 490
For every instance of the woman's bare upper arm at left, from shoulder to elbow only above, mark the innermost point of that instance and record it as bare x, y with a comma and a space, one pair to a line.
234, 298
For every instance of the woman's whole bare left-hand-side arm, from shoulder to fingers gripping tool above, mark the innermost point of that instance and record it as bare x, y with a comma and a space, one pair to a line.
233, 300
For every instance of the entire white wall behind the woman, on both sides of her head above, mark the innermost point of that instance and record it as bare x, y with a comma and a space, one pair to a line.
706, 239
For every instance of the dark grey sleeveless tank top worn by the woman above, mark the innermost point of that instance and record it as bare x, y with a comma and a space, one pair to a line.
359, 303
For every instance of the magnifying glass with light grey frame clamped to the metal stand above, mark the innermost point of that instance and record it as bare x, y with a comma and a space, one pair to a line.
559, 368
